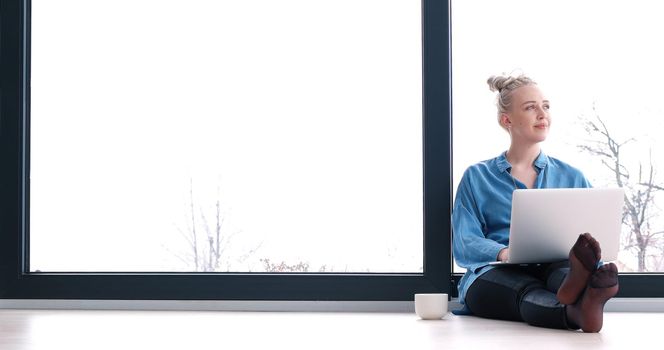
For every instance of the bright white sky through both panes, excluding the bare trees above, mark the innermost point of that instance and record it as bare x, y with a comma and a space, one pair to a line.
305, 115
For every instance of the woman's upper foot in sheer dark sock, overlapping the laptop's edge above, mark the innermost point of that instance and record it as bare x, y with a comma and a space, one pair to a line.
583, 258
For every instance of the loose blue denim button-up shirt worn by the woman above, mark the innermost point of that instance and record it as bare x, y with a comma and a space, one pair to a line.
483, 208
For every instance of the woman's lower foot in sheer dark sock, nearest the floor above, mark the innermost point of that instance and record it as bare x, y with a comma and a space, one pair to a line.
588, 312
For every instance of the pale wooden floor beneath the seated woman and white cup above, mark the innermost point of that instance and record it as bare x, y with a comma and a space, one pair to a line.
92, 330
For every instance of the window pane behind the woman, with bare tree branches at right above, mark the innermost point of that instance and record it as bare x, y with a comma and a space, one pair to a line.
597, 62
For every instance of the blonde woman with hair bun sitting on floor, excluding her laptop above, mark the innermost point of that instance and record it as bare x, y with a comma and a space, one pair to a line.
568, 295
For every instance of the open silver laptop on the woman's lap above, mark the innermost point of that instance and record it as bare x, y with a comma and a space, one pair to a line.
547, 222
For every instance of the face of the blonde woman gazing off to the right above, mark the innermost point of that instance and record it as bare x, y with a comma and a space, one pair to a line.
528, 119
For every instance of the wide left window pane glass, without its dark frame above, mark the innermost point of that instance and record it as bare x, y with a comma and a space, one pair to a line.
226, 136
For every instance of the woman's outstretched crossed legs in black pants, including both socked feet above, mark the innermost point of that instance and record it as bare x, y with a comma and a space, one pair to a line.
554, 297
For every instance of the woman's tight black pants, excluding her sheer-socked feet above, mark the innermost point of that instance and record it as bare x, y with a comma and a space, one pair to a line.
521, 293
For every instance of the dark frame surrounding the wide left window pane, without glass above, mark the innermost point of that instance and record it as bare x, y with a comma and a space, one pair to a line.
16, 282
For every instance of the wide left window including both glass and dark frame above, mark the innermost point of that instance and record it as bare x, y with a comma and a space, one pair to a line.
224, 150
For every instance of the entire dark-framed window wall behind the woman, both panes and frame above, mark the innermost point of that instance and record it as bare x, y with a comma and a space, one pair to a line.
116, 87
